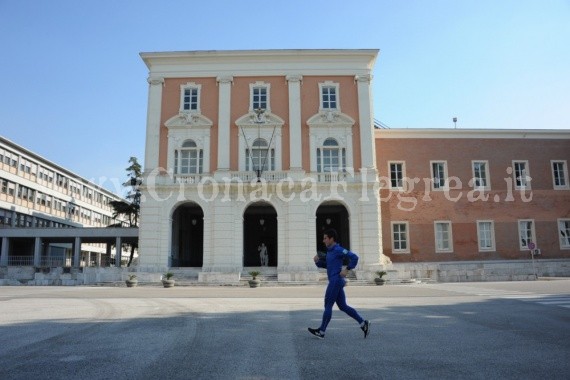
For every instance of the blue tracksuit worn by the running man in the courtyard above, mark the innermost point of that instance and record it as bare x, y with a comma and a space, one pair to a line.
335, 289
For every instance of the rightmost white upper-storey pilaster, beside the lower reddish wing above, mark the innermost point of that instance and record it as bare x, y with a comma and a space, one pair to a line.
366, 118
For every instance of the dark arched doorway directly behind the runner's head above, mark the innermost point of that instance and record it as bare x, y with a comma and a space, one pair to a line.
333, 215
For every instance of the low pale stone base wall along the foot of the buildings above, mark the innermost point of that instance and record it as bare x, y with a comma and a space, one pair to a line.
469, 271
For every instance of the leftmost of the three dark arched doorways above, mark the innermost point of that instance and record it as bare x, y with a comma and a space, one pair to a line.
187, 236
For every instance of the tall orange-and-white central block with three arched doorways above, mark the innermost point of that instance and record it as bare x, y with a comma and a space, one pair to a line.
246, 148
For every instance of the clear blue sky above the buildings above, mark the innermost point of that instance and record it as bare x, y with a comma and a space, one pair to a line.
73, 87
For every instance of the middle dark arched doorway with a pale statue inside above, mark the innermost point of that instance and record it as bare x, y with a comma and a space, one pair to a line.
259, 229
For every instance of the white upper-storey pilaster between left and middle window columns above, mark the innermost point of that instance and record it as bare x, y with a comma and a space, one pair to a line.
224, 122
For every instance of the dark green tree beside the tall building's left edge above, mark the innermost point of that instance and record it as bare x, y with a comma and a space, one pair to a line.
128, 210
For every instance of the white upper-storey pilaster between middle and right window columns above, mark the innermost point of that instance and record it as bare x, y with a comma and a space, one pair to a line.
295, 151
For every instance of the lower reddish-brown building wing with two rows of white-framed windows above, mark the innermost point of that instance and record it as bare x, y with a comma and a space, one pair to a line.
461, 195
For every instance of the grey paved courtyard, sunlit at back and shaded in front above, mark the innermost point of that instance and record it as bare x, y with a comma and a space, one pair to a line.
507, 330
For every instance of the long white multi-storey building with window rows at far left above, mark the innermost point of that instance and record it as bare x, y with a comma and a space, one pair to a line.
36, 193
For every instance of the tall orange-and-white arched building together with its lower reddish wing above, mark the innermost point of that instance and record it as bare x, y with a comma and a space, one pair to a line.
253, 152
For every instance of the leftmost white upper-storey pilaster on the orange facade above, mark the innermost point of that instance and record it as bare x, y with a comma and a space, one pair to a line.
153, 123
